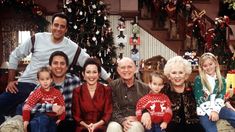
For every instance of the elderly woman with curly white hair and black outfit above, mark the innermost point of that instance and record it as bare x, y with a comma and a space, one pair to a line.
181, 95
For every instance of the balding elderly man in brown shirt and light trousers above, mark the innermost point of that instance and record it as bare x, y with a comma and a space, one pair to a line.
126, 91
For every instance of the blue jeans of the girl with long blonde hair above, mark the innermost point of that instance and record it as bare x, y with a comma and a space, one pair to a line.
225, 113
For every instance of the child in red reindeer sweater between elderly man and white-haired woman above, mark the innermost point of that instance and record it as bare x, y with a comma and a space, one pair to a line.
156, 103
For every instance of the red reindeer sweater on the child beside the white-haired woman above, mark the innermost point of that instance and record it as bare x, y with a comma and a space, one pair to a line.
158, 105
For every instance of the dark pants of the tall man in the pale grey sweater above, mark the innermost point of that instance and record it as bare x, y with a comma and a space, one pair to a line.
9, 101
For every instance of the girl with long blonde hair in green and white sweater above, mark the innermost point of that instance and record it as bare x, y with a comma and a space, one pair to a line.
209, 90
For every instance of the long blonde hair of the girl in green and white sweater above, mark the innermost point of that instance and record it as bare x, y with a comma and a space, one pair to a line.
202, 73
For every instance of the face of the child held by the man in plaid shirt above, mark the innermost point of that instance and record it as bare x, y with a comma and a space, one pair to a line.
45, 80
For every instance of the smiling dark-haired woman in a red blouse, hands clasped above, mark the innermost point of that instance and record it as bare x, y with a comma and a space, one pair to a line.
92, 102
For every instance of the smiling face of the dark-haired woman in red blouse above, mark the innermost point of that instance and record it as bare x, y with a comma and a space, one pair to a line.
91, 74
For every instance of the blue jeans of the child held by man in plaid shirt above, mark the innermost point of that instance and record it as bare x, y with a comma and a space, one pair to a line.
42, 123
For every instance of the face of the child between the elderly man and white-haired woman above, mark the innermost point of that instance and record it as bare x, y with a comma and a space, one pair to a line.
156, 84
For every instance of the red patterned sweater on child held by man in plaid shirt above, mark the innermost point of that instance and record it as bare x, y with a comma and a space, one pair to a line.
53, 96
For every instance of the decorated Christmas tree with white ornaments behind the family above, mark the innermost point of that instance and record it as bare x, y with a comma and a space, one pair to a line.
90, 28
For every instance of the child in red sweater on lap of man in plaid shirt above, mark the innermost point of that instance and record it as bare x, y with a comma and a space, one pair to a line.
44, 94
